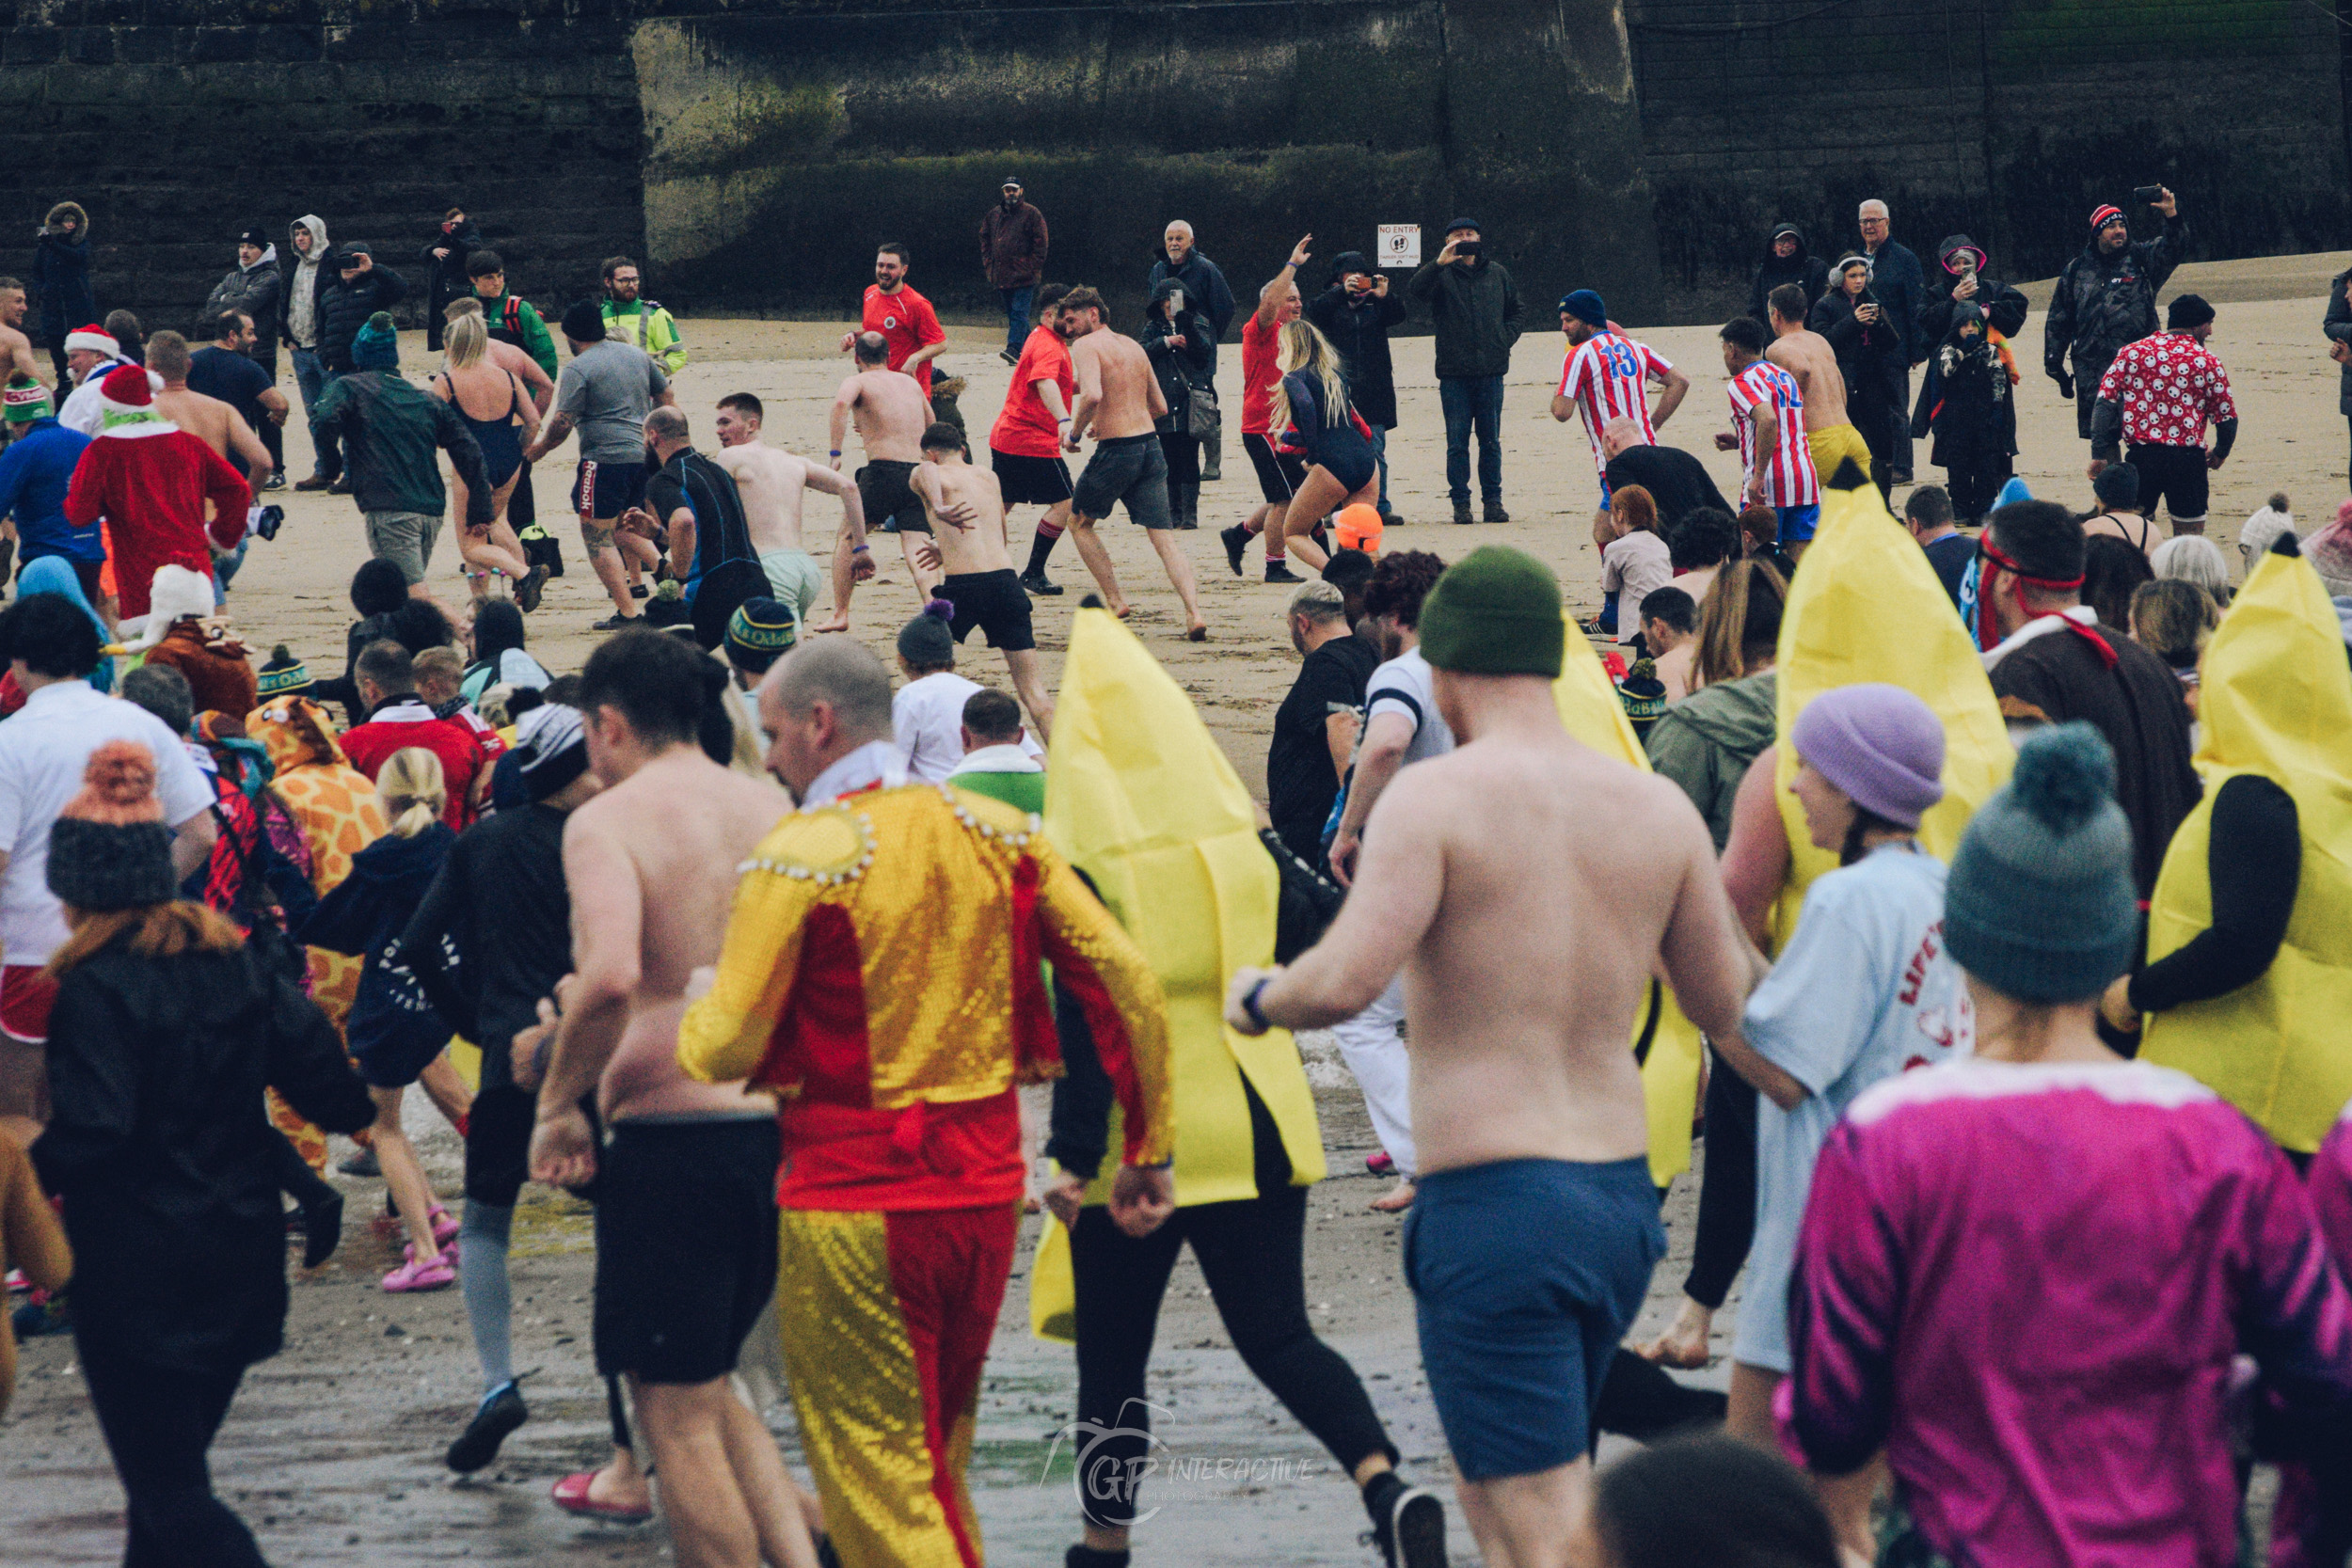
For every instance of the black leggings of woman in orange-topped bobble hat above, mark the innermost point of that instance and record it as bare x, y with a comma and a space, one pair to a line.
159, 1426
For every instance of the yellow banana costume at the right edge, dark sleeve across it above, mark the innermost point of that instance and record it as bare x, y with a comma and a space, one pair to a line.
2278, 702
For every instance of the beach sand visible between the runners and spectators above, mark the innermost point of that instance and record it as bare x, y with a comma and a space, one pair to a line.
333, 1452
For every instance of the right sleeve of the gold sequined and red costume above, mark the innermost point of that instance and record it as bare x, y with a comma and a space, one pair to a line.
1121, 996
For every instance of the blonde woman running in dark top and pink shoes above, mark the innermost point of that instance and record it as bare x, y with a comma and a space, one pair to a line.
394, 1033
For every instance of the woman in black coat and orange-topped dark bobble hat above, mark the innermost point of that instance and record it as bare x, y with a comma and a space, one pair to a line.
163, 1036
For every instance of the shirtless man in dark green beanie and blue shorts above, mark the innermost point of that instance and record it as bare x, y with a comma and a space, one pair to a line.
1525, 958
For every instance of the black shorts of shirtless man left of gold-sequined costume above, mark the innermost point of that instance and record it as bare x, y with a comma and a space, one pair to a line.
686, 1245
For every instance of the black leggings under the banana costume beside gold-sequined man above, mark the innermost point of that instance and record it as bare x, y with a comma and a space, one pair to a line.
1252, 1257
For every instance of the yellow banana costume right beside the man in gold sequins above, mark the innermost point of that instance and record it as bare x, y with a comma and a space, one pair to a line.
1147, 805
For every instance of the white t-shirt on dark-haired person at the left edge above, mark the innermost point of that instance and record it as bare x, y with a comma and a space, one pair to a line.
41, 768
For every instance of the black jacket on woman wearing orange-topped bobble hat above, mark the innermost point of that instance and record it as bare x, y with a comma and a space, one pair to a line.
163, 1148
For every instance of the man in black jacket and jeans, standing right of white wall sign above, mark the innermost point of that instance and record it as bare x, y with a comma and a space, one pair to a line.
1478, 319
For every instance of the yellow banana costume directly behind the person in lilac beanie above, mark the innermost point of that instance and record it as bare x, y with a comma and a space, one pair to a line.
1869, 608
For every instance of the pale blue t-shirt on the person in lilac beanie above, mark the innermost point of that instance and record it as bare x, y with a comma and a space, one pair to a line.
1862, 993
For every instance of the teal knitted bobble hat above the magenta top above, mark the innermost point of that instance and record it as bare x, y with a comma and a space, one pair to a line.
2040, 902
